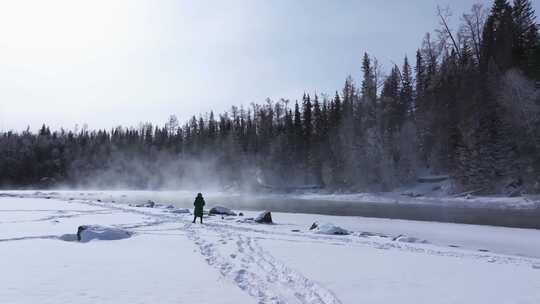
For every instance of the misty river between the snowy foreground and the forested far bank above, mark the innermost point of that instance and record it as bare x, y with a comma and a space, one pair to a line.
520, 212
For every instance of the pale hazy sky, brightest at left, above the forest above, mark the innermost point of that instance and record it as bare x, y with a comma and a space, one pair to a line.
109, 63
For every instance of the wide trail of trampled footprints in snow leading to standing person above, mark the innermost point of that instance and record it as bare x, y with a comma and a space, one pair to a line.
254, 270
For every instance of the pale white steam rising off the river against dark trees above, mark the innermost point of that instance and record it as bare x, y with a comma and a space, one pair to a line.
162, 172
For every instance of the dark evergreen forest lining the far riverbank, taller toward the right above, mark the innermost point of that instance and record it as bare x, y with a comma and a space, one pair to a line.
468, 105
